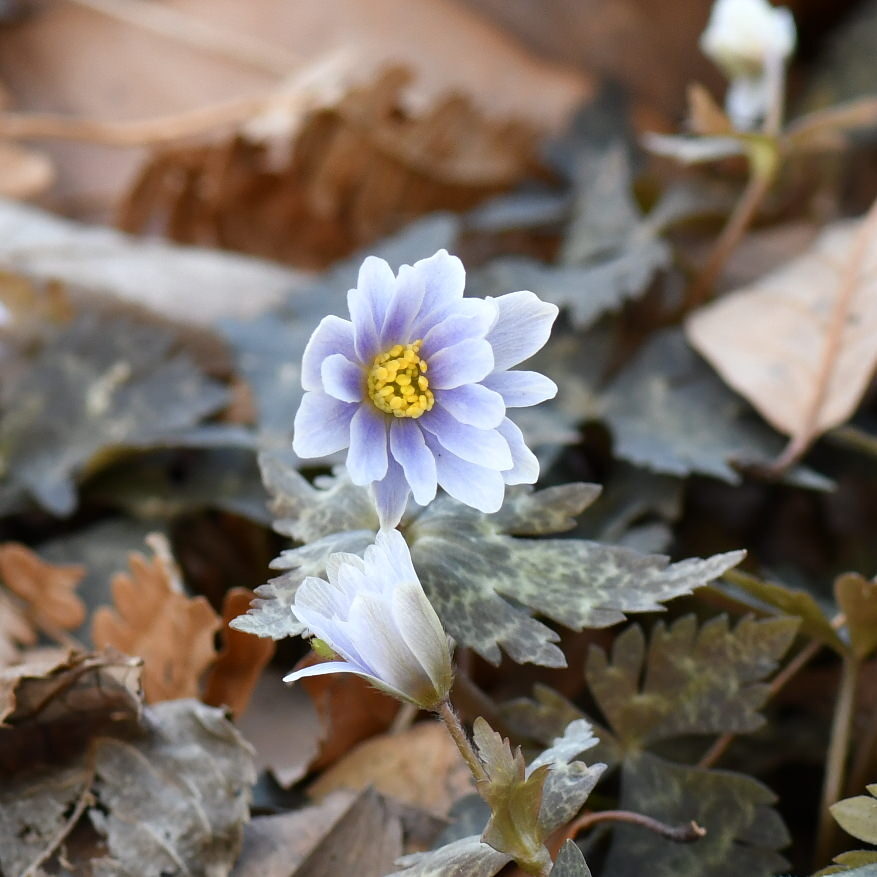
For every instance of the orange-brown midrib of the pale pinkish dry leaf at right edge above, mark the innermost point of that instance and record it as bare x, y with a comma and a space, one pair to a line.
839, 317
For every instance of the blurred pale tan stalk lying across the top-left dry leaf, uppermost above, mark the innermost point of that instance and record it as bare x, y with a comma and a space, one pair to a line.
194, 32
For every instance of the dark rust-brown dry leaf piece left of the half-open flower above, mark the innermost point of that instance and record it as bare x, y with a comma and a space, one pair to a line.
240, 663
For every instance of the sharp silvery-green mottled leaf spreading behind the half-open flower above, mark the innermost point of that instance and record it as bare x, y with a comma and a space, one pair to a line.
484, 582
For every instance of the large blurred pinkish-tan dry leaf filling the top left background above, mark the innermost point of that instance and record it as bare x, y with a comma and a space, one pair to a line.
449, 47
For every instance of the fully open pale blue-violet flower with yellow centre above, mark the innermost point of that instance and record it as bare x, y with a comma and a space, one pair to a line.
416, 385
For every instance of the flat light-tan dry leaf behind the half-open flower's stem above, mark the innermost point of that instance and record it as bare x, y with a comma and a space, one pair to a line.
420, 767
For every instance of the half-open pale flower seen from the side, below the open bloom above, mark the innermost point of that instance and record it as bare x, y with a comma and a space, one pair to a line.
374, 615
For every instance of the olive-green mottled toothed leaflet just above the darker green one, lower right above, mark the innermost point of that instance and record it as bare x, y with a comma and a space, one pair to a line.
696, 680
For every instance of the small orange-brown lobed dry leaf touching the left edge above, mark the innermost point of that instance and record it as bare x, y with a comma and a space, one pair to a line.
46, 590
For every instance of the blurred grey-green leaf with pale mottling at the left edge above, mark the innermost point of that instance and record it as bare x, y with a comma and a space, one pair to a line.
96, 386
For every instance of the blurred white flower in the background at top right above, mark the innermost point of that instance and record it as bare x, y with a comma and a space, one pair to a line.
750, 40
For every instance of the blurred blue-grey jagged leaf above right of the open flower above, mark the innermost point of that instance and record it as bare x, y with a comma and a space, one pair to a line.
610, 253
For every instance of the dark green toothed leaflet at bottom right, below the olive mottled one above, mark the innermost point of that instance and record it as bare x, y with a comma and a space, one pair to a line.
743, 832
